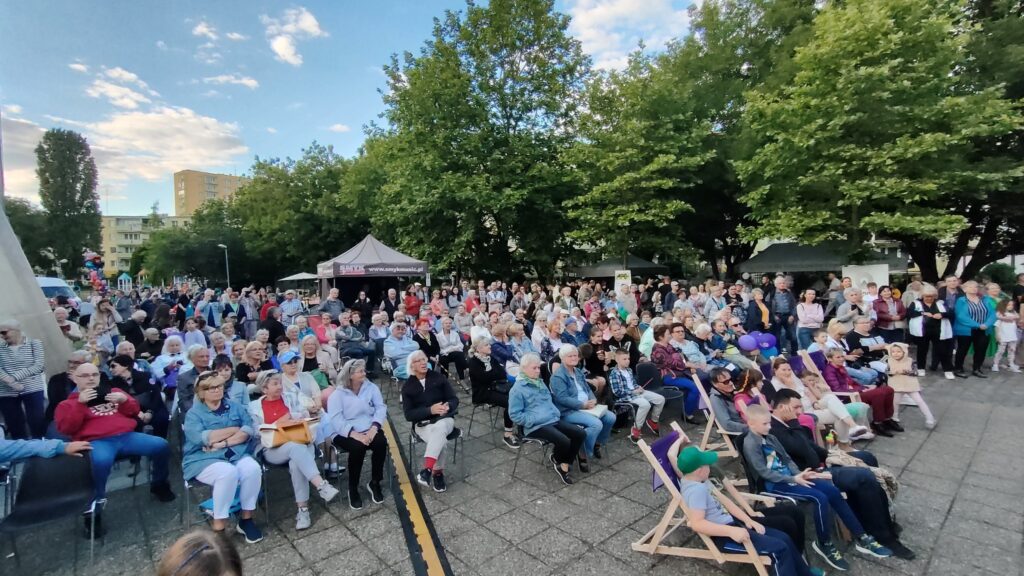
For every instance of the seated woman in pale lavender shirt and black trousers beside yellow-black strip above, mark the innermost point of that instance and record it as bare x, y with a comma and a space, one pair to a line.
356, 416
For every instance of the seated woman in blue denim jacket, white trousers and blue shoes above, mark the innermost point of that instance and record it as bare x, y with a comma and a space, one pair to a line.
218, 452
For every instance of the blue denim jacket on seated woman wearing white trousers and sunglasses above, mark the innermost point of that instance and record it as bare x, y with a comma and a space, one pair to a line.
200, 422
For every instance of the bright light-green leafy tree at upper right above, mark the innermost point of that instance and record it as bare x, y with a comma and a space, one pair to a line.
873, 136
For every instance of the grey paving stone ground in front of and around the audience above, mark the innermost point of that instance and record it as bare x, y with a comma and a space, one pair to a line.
962, 506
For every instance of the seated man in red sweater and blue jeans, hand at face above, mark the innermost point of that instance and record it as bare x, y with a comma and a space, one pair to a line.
107, 418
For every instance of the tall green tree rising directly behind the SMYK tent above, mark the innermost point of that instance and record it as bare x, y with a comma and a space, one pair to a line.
474, 153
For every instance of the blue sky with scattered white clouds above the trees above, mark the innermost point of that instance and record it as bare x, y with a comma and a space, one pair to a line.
162, 87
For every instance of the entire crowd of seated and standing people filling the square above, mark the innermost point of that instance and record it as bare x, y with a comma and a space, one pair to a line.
258, 379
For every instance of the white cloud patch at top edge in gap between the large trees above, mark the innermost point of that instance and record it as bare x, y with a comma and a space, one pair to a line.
610, 30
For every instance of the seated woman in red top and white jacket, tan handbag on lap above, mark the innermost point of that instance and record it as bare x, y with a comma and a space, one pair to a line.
282, 406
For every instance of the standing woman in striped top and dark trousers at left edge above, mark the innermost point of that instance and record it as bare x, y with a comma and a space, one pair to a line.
22, 381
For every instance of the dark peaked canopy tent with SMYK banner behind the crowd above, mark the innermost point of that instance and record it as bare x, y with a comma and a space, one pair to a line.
368, 264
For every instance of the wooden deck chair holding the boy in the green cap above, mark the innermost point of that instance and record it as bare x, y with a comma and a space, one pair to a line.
677, 515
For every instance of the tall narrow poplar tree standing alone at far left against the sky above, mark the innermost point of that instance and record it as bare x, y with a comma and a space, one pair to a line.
68, 192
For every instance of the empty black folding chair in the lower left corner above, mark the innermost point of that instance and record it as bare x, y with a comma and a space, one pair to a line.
52, 489
